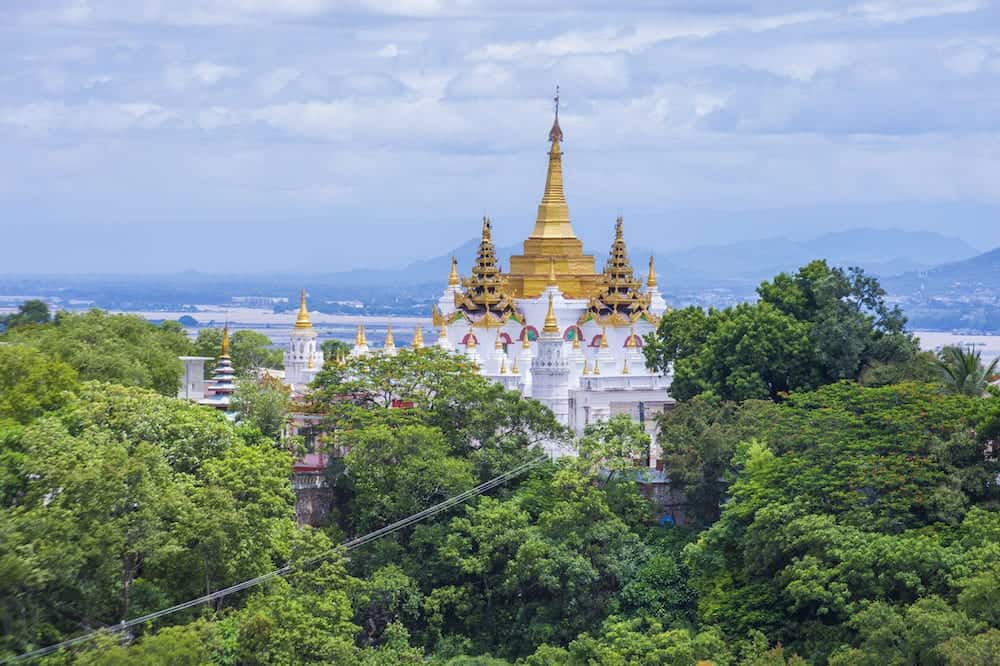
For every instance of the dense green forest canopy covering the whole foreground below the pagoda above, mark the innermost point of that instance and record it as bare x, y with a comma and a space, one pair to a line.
843, 511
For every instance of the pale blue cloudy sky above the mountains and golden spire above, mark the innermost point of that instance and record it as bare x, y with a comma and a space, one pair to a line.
368, 131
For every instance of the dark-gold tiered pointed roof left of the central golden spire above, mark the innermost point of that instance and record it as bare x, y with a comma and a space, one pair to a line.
486, 299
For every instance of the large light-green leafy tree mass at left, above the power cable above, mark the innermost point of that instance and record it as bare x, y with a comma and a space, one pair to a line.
128, 502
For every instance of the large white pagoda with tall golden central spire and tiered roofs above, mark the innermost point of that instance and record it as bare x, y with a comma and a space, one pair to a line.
552, 327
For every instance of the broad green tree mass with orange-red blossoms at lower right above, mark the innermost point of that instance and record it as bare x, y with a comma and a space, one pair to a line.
850, 496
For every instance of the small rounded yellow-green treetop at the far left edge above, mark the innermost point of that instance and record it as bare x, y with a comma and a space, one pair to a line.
32, 383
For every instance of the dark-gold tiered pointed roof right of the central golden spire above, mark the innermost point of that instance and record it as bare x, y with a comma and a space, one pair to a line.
619, 300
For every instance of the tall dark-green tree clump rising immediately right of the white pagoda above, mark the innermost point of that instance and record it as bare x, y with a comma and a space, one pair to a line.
818, 326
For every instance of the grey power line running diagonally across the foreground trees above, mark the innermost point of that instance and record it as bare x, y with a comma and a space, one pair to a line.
253, 582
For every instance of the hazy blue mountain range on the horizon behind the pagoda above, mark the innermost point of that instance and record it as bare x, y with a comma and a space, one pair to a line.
882, 252
